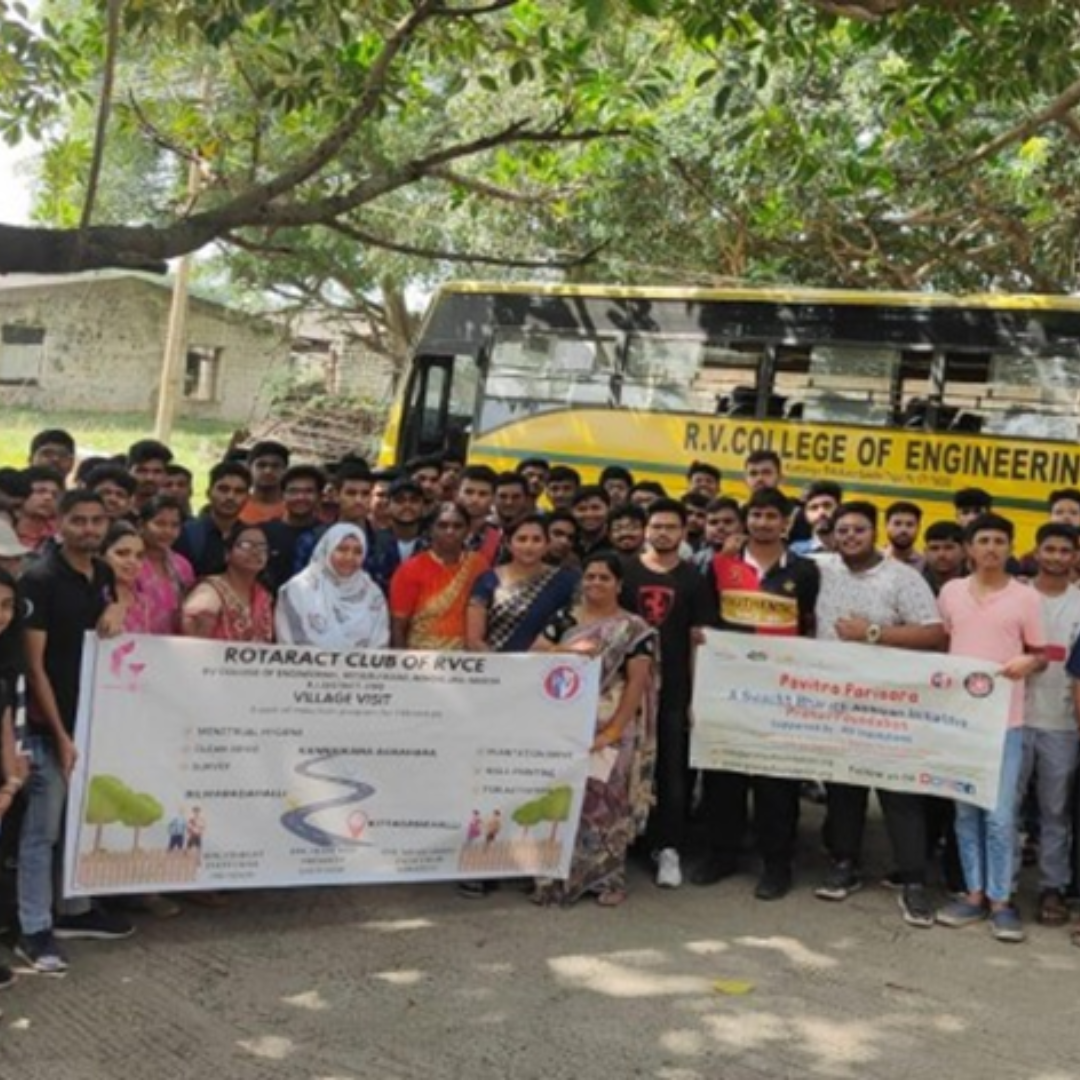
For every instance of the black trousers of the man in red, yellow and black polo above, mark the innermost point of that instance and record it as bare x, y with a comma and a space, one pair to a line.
776, 816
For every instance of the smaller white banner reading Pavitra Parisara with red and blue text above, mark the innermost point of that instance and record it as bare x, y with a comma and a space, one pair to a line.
855, 714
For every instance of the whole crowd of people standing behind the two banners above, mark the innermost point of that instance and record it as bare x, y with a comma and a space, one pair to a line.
447, 556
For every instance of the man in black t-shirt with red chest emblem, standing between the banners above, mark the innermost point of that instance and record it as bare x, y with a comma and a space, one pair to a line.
669, 595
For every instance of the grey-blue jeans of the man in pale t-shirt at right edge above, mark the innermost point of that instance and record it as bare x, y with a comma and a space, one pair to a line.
1051, 757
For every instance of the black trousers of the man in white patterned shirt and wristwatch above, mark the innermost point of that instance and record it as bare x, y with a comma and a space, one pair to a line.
904, 819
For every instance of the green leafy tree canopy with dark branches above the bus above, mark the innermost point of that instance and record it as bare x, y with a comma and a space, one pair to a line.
879, 144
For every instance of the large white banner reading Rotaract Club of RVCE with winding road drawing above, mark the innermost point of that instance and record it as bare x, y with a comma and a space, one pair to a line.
206, 765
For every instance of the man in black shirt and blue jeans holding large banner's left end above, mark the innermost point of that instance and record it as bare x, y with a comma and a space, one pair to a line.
67, 592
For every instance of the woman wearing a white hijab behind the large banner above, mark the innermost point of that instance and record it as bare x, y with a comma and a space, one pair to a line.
333, 603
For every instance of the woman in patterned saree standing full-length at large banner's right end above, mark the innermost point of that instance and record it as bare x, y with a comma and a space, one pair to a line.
619, 791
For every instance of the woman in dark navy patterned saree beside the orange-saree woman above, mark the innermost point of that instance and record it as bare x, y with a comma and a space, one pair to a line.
511, 605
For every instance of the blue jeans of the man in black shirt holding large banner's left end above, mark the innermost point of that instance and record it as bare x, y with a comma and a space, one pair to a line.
42, 845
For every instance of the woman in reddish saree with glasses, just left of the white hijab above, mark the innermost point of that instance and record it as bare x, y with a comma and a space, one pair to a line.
234, 606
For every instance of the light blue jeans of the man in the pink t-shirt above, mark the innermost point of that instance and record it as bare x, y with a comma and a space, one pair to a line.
988, 839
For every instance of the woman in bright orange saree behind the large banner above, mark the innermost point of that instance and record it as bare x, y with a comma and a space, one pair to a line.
429, 593
